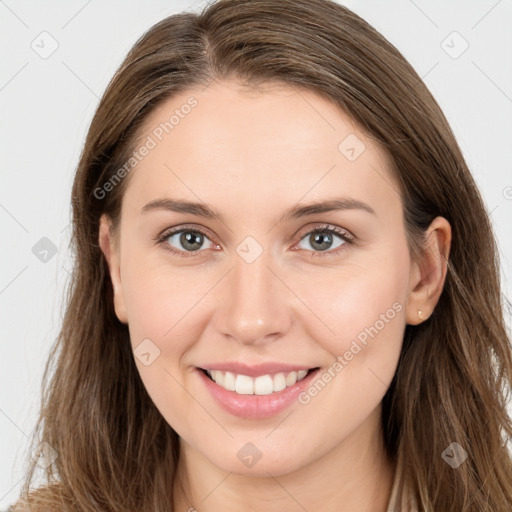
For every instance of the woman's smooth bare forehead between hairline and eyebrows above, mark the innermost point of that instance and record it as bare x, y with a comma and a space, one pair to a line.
254, 148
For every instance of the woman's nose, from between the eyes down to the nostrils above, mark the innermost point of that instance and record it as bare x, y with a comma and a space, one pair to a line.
254, 303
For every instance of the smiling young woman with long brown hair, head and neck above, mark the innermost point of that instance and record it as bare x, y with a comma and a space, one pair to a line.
286, 293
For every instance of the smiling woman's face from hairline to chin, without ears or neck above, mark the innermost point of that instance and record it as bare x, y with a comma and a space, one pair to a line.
263, 279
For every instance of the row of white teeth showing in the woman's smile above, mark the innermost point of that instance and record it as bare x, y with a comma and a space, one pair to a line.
262, 385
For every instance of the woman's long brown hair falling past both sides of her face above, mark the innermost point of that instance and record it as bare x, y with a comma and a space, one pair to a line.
114, 449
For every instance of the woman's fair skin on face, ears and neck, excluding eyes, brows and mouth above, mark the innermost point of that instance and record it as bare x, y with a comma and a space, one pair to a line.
250, 154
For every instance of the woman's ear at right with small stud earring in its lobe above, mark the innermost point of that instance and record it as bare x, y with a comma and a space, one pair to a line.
428, 275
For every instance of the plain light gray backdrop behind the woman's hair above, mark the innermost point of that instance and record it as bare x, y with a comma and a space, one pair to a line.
47, 104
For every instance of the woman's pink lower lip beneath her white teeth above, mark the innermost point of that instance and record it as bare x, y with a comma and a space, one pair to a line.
256, 406
